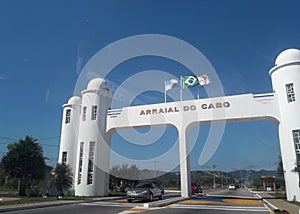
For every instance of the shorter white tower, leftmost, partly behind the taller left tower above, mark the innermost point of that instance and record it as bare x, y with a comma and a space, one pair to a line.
69, 132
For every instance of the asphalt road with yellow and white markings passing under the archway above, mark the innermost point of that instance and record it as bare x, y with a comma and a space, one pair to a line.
220, 201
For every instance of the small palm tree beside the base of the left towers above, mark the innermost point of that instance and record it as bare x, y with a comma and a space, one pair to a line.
61, 178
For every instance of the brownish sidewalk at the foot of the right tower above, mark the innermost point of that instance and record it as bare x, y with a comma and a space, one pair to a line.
279, 203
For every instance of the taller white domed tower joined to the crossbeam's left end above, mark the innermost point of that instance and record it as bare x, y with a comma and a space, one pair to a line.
93, 152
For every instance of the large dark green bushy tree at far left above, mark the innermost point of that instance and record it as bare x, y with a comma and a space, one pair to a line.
24, 161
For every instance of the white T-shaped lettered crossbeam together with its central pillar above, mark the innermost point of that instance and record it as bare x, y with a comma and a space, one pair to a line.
183, 115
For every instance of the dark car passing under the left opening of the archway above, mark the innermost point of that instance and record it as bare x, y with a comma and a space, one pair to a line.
145, 190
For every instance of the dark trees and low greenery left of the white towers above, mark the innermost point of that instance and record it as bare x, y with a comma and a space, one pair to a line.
24, 173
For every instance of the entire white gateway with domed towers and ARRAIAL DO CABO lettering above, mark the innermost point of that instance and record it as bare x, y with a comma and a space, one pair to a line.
281, 106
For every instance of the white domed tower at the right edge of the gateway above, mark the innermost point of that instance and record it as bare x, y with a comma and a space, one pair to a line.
286, 84
